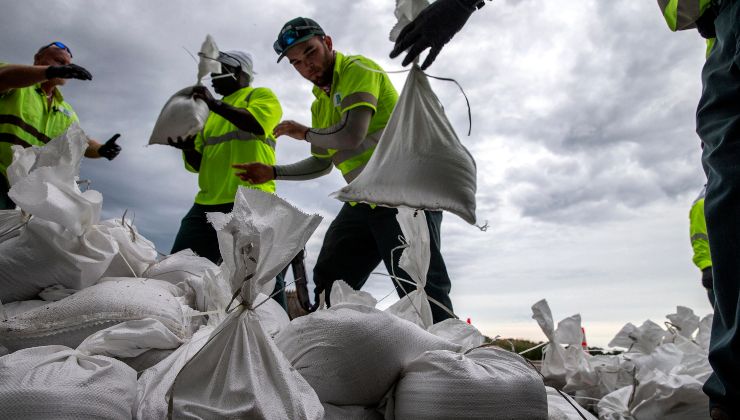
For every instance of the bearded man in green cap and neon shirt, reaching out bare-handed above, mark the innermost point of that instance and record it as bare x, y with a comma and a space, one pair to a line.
354, 99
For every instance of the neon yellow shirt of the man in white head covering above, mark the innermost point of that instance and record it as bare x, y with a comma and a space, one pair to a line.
222, 144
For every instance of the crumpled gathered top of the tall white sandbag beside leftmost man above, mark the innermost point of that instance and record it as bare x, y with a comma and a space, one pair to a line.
43, 182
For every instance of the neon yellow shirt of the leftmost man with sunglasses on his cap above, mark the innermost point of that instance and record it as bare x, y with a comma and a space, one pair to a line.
27, 119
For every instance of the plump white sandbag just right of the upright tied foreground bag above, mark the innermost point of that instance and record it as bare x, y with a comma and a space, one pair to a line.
352, 354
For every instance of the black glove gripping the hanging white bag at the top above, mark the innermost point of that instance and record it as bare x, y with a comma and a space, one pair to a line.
433, 28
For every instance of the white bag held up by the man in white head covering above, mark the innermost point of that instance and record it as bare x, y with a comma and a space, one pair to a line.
183, 116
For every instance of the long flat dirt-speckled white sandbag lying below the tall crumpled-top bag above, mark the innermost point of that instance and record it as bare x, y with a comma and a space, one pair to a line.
69, 321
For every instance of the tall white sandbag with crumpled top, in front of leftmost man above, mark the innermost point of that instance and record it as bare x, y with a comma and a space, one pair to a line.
63, 232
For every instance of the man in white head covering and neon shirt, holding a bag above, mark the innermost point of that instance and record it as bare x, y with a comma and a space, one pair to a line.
239, 128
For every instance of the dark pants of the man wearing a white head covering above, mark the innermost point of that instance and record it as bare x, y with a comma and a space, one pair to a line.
198, 235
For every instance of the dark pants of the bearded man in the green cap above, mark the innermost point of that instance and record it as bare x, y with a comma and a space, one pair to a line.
360, 237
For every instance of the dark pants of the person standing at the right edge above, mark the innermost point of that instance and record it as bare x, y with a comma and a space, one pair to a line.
718, 125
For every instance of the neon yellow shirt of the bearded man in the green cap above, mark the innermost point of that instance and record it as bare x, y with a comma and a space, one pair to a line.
354, 85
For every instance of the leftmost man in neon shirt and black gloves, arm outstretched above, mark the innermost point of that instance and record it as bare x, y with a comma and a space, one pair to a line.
33, 110
